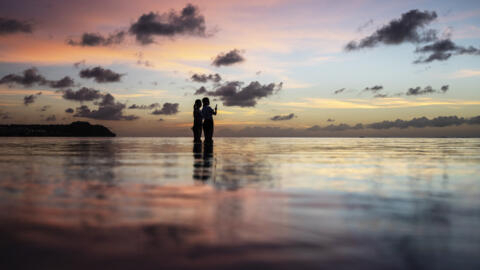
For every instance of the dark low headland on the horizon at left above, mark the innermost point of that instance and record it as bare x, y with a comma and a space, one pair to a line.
75, 129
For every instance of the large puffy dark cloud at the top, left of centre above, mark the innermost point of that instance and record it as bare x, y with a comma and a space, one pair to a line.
187, 22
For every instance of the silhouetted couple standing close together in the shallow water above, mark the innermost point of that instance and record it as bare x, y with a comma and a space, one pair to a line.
206, 114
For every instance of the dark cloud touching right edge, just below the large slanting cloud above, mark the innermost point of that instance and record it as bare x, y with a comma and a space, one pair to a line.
442, 50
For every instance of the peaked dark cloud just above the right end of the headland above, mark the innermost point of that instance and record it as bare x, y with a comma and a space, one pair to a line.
108, 109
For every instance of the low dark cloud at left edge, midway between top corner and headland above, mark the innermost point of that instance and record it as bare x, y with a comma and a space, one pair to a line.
31, 77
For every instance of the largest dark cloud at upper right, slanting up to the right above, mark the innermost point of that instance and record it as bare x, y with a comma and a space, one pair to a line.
398, 31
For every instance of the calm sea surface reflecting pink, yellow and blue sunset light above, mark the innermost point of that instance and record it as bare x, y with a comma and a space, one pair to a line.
245, 203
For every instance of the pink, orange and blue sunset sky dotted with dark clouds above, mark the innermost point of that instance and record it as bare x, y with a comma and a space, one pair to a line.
274, 67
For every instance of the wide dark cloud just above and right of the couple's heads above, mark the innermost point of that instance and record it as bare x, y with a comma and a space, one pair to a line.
233, 94
